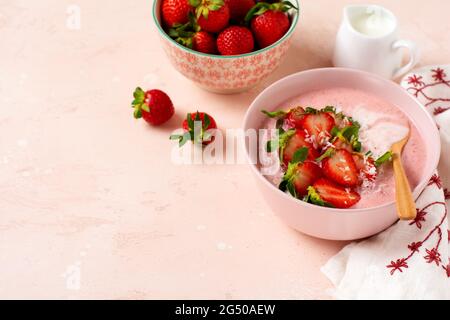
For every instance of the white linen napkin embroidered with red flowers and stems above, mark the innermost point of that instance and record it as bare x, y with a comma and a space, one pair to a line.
410, 260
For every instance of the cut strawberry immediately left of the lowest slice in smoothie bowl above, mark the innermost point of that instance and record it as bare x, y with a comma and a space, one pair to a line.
302, 176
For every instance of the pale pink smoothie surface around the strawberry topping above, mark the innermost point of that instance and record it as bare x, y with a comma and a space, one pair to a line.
382, 124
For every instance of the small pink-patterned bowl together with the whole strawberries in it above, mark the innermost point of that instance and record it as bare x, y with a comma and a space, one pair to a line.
226, 46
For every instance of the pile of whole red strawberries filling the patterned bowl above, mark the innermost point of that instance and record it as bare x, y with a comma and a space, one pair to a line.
226, 27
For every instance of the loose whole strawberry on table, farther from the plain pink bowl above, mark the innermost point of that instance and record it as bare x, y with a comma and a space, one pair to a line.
154, 106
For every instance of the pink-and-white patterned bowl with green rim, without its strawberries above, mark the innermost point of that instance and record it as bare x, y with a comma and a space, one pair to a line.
225, 74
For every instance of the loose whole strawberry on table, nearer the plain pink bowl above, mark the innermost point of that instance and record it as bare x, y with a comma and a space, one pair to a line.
197, 128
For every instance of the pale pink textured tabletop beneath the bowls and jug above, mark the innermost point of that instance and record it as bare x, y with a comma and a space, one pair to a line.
91, 205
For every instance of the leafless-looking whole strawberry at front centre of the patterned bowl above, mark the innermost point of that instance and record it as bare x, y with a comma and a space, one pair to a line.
235, 40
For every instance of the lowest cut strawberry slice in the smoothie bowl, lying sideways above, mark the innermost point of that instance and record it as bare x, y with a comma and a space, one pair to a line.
336, 195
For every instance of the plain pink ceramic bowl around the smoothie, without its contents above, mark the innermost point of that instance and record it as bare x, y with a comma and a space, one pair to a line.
339, 224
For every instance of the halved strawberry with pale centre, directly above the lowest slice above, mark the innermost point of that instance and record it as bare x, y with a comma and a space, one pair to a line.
341, 168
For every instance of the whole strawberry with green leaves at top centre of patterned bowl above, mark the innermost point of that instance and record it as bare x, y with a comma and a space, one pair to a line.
212, 15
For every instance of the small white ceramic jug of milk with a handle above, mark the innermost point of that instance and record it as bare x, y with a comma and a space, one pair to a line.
368, 40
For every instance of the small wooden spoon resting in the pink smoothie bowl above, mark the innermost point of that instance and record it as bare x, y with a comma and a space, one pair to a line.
406, 206
